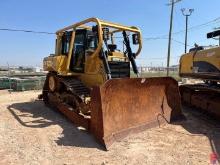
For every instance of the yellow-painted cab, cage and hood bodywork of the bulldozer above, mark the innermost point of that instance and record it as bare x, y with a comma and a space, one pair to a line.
94, 73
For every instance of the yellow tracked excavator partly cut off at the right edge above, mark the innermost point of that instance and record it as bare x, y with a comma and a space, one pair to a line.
203, 64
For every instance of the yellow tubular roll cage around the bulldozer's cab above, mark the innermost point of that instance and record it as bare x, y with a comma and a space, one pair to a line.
100, 26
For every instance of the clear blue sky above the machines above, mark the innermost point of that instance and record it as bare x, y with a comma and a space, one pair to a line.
151, 16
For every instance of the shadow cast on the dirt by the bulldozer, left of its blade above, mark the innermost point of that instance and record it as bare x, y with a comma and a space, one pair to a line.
42, 117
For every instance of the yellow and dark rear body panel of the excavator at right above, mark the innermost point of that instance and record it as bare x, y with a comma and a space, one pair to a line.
204, 64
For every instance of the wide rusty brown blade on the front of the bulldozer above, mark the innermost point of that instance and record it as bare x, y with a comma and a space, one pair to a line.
124, 106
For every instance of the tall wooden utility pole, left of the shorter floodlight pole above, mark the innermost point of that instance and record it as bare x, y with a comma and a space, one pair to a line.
170, 33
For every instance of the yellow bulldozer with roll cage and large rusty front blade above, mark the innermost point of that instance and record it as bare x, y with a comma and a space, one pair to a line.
89, 81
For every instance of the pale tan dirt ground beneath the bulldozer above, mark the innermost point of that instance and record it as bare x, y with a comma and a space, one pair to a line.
31, 133
